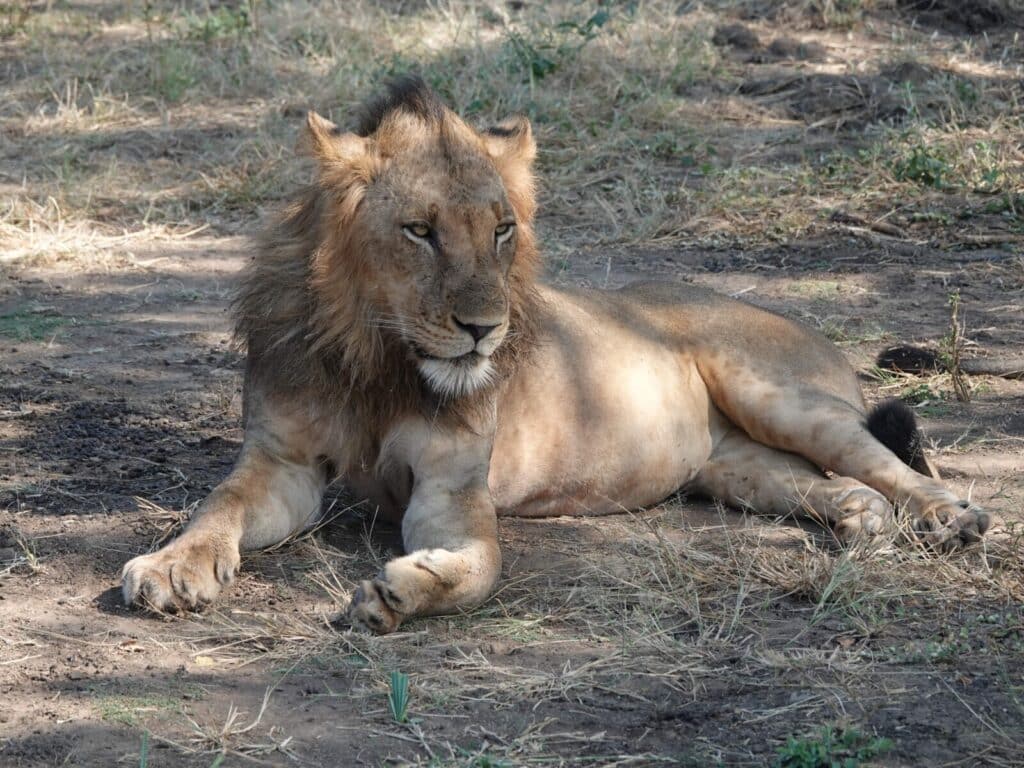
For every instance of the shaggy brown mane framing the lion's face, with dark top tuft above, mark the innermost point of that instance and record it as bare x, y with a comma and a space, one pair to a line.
304, 314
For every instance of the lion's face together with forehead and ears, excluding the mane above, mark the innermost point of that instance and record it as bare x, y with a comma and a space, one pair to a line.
438, 236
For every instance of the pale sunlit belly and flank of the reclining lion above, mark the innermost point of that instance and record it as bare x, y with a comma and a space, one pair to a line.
593, 429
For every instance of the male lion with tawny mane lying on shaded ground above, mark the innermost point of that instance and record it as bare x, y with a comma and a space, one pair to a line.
399, 339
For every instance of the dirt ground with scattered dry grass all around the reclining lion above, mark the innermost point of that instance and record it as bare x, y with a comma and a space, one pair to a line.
687, 634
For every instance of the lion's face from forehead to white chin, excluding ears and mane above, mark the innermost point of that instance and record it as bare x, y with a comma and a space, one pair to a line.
444, 236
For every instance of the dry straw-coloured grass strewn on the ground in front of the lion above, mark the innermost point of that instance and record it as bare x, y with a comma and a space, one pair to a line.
669, 609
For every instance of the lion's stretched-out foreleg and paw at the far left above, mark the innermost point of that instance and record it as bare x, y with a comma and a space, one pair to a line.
265, 500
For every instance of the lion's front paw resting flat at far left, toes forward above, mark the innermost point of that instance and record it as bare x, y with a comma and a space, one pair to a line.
185, 575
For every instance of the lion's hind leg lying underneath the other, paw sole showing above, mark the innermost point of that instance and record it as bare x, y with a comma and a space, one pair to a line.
750, 476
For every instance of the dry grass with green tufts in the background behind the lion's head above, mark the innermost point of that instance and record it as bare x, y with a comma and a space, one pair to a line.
645, 135
